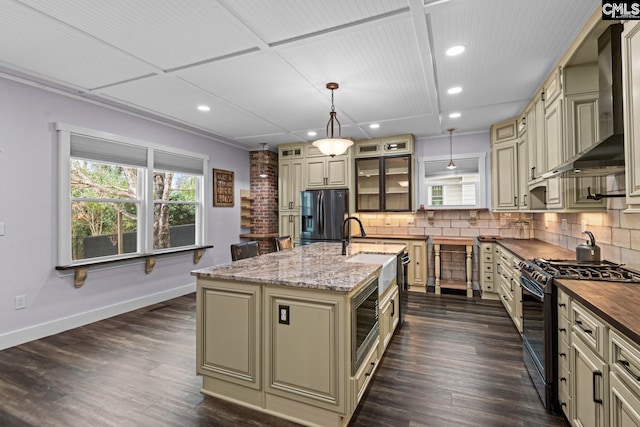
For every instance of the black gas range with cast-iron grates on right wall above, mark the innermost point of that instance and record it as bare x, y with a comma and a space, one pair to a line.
540, 316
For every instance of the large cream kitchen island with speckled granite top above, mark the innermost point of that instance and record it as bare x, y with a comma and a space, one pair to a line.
277, 332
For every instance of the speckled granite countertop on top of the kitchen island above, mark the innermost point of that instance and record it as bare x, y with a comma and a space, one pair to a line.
316, 266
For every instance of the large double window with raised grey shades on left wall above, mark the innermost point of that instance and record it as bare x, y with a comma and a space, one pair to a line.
121, 197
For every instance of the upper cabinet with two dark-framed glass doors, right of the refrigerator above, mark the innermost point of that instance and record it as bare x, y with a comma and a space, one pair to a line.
383, 175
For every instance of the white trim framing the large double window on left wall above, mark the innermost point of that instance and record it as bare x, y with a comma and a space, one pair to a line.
145, 236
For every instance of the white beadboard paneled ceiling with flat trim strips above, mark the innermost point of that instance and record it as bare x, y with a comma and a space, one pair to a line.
262, 65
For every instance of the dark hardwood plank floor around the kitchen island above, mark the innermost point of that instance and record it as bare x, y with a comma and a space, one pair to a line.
455, 362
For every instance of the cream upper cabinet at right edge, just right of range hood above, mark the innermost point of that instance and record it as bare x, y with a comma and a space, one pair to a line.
631, 88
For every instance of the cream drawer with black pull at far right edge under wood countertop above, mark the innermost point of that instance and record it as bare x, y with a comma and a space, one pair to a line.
625, 360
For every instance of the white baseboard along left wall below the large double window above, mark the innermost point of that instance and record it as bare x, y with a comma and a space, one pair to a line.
42, 330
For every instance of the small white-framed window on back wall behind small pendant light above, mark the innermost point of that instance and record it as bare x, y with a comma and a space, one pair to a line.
462, 187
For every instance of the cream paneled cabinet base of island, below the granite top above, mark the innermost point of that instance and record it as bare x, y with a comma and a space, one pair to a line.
286, 351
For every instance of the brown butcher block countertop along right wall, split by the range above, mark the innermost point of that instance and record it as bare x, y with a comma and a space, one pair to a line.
615, 302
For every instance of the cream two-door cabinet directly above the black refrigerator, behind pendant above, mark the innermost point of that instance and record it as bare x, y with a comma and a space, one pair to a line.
323, 171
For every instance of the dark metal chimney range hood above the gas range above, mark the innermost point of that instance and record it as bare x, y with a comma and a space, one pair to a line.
607, 156
